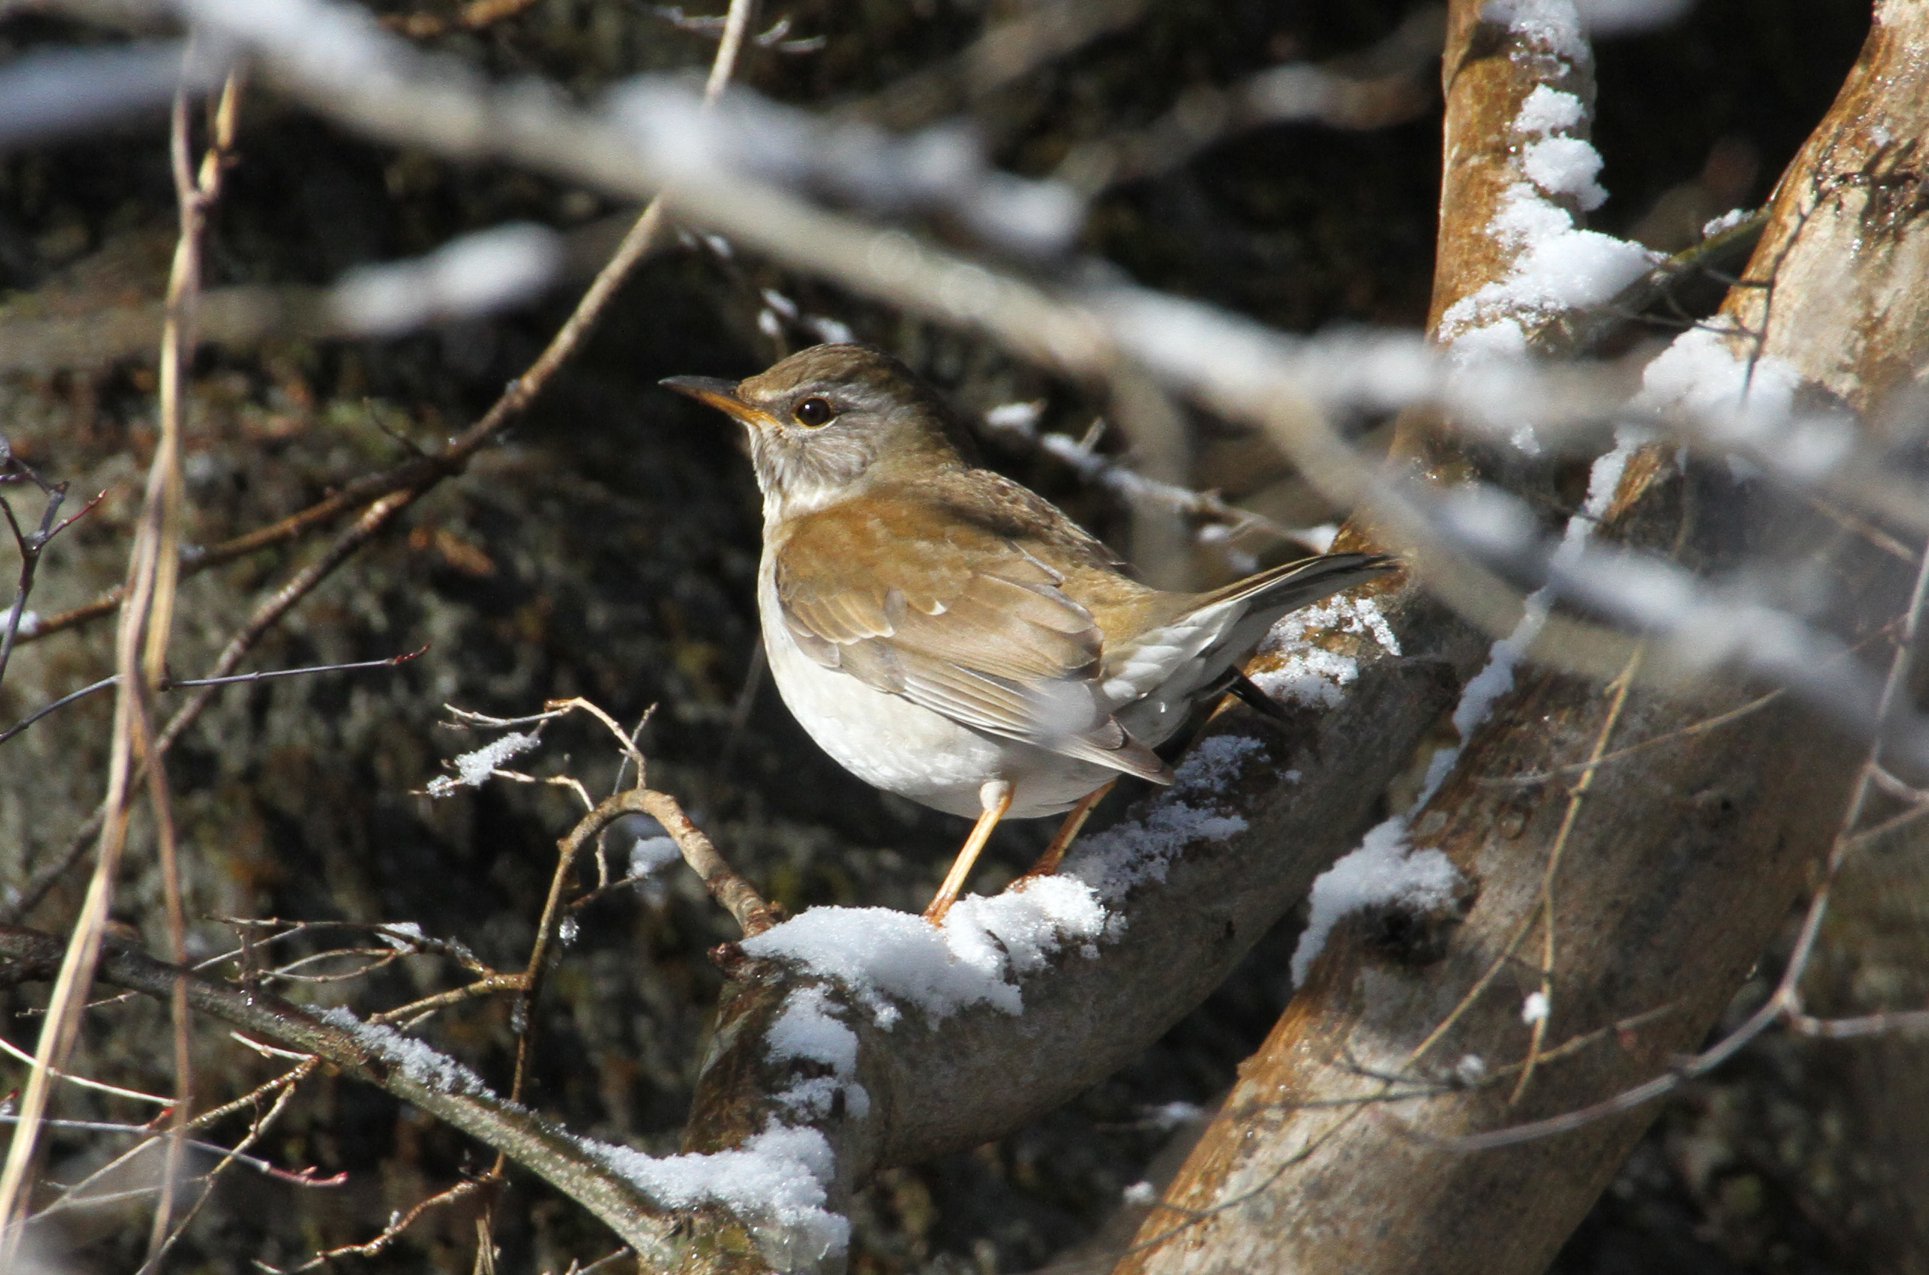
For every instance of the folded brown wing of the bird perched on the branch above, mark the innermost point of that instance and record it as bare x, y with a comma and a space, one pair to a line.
917, 601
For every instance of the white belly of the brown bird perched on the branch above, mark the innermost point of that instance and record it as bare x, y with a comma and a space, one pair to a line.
902, 747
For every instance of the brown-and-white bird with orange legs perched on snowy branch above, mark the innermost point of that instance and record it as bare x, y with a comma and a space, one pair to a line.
946, 634
